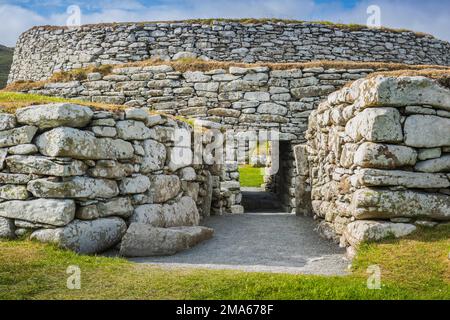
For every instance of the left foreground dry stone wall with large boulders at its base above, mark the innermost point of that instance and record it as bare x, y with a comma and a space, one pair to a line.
91, 179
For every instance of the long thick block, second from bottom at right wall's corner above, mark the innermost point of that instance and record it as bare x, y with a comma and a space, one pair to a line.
383, 204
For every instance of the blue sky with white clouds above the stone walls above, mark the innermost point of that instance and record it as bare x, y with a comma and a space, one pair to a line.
431, 16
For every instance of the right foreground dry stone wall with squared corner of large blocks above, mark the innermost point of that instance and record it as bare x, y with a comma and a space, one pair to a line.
379, 155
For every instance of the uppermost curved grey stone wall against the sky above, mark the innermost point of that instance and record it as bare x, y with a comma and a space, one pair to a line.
42, 51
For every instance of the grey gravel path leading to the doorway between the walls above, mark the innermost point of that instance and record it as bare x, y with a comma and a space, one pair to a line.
263, 242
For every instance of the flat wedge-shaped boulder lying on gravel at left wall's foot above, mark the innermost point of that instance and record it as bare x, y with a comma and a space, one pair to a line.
143, 240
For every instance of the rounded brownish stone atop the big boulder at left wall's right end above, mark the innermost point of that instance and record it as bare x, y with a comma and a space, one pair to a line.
164, 187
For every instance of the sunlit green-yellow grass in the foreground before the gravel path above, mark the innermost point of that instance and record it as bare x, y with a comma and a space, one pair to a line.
417, 267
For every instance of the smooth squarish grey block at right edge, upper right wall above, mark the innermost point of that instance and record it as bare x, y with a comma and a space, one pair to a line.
424, 131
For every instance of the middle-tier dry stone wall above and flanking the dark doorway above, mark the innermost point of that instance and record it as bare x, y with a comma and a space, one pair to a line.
239, 99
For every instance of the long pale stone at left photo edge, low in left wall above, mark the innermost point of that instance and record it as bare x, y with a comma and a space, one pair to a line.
47, 211
